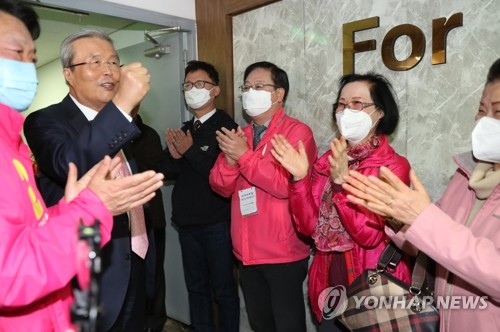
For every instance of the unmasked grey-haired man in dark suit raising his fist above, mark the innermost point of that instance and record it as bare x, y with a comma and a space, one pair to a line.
92, 121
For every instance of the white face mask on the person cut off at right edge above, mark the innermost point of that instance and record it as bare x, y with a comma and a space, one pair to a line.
486, 140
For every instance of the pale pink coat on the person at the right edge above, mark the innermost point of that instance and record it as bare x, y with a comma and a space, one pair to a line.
468, 257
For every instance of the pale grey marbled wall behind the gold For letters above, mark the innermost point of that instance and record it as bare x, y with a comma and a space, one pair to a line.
437, 102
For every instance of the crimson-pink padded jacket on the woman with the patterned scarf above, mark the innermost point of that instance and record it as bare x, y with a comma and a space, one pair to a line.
365, 228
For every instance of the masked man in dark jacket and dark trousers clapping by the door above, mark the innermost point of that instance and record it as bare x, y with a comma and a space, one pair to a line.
201, 215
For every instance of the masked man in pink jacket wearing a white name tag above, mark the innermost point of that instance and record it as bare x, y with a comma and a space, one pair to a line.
273, 257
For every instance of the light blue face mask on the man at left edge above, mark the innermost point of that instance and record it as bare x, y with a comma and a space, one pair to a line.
18, 83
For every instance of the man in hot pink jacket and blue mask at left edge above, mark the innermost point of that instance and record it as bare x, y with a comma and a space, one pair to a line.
38, 246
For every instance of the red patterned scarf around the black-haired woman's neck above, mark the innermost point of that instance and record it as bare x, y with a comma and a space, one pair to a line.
329, 233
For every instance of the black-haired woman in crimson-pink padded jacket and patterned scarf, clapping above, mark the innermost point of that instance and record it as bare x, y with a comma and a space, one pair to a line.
348, 238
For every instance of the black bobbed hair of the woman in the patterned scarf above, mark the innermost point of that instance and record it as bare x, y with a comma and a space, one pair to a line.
383, 96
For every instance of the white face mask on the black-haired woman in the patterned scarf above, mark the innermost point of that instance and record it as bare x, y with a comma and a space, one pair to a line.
354, 125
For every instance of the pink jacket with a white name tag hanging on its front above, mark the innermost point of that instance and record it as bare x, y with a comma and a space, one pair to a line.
269, 236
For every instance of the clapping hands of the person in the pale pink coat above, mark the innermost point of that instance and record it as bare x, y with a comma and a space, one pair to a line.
388, 196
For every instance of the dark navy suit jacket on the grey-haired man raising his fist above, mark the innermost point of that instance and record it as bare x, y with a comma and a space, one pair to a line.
61, 133
